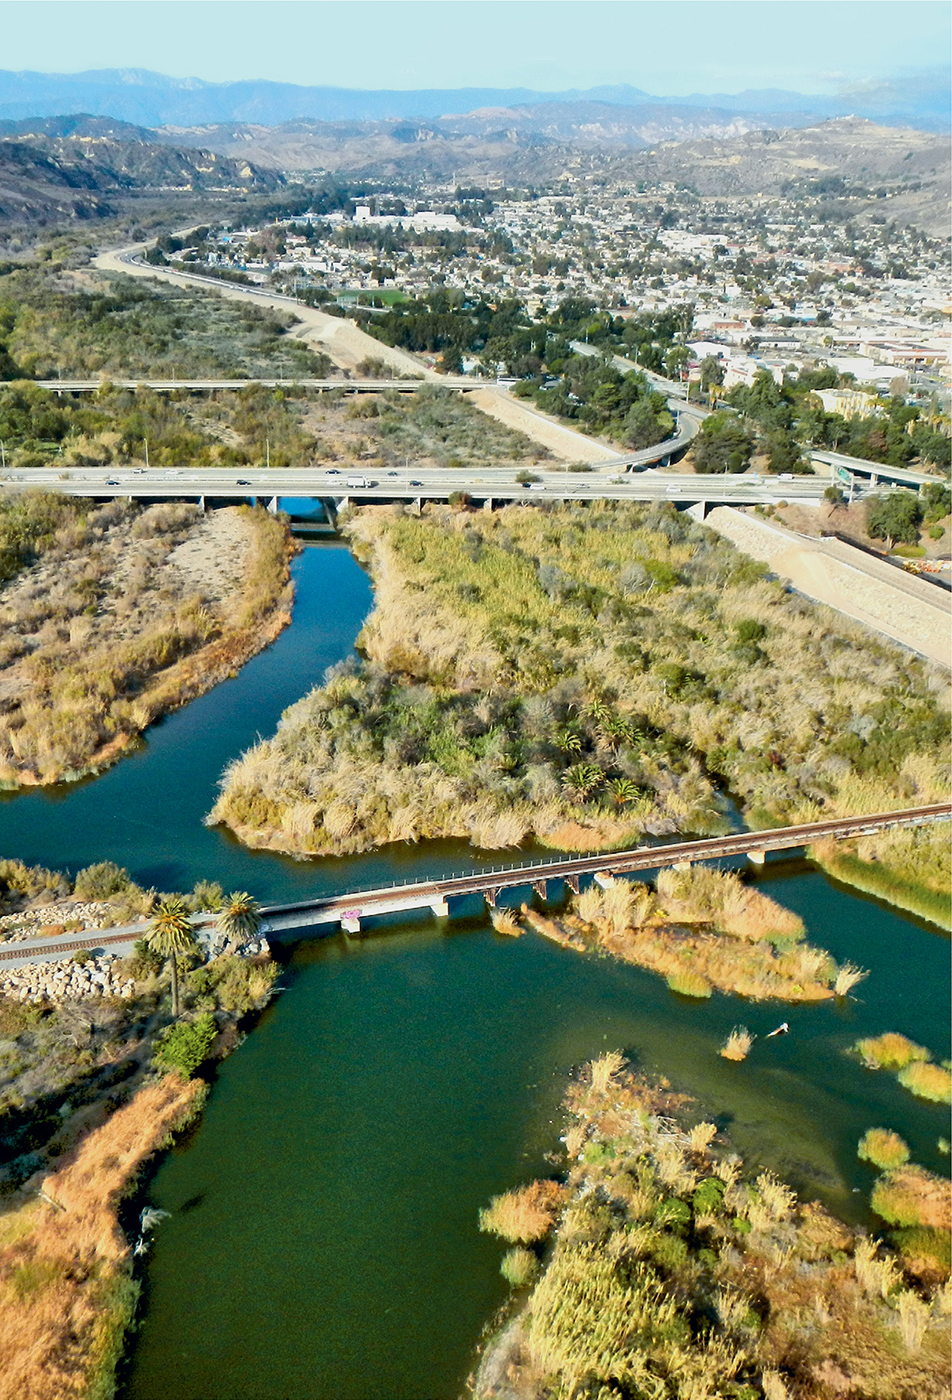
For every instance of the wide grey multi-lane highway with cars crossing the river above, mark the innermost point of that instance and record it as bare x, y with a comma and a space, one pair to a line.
318, 482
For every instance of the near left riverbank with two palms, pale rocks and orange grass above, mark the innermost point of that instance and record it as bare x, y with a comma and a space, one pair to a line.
97, 1070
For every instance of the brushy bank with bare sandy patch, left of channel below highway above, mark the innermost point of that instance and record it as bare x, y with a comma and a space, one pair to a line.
114, 615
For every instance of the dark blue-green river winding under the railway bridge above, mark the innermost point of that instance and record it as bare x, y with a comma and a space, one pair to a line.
323, 1240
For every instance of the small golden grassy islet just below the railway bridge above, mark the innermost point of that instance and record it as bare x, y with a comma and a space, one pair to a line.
702, 930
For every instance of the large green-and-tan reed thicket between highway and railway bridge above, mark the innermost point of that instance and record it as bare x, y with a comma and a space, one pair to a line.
587, 675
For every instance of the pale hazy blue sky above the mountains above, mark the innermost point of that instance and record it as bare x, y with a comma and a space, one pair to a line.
666, 47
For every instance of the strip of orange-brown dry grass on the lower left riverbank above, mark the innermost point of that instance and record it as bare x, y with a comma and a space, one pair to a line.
62, 1270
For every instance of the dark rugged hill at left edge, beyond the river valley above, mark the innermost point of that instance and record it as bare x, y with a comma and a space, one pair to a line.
79, 166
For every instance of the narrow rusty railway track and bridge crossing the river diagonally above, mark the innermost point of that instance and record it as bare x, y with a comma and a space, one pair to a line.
349, 911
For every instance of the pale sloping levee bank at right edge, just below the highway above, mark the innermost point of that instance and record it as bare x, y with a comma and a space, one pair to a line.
908, 610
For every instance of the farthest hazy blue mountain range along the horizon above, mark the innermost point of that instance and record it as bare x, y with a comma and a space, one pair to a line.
155, 100
